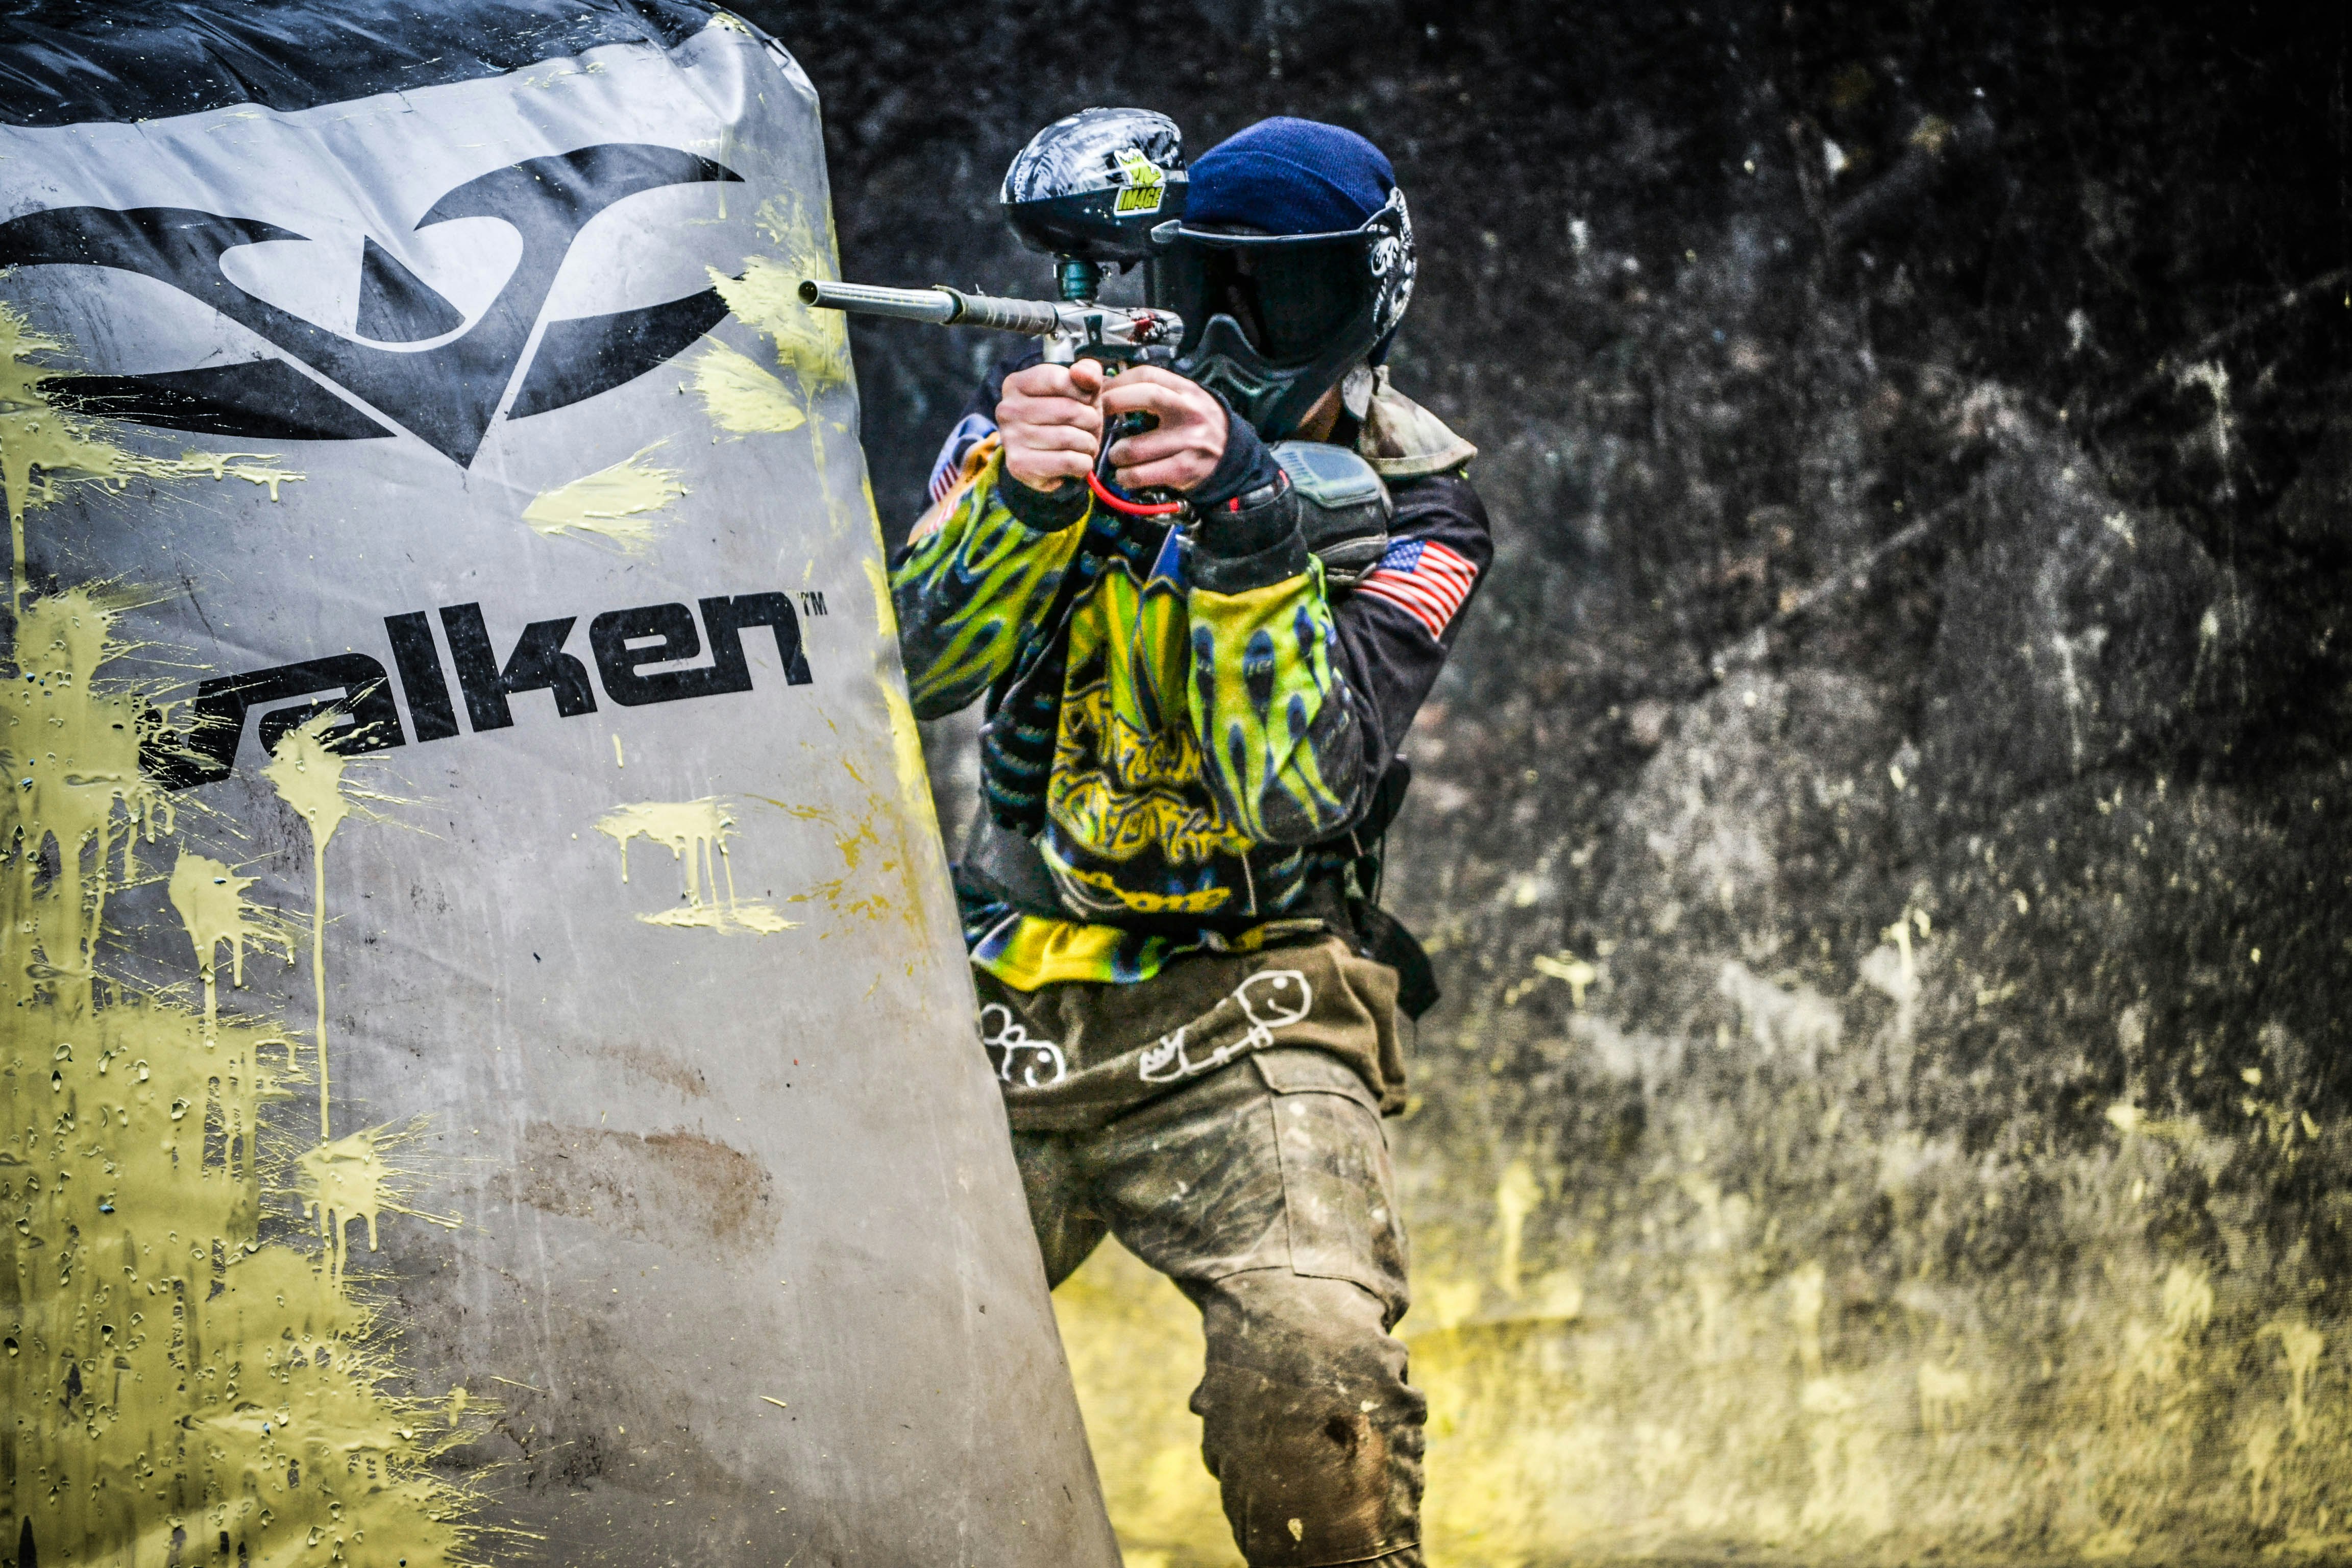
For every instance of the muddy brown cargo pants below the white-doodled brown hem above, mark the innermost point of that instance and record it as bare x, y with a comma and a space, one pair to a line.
1264, 1191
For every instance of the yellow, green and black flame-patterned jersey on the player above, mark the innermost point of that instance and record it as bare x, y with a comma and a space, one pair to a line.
1187, 739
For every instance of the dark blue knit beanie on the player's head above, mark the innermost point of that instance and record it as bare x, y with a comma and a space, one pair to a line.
1288, 177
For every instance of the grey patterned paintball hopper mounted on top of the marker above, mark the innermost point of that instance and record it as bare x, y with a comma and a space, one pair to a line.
1090, 192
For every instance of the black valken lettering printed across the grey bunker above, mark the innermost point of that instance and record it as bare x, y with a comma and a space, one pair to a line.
639, 655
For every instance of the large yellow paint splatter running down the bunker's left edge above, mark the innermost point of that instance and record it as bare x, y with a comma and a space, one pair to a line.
173, 1379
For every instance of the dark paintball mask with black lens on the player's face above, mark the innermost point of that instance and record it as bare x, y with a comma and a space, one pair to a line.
1276, 321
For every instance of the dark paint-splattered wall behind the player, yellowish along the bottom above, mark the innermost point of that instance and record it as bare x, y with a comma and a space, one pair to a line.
1885, 826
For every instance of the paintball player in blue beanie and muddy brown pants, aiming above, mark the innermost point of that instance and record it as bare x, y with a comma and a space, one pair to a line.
1191, 756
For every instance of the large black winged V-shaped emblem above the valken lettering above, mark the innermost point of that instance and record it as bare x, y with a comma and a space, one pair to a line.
446, 394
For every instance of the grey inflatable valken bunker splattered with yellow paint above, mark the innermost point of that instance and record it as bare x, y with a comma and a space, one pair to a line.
488, 1068
